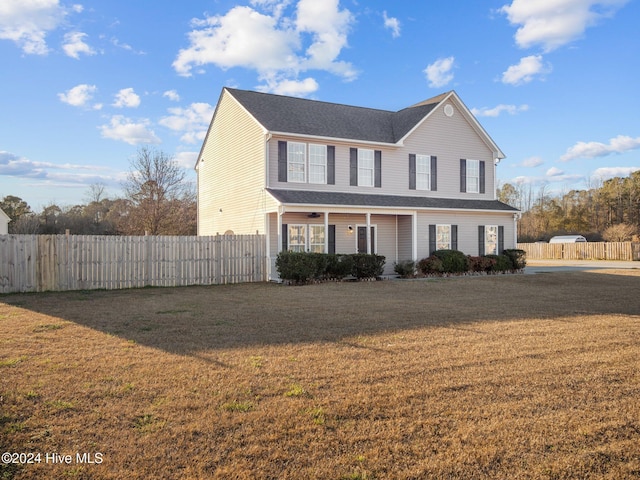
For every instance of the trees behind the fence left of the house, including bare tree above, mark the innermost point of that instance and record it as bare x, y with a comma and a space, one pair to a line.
157, 201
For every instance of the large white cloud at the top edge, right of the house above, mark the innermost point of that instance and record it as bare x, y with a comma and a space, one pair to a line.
554, 23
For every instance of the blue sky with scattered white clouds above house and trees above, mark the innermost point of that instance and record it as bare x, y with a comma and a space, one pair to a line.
85, 84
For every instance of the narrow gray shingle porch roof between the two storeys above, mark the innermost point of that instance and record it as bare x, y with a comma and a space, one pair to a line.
304, 197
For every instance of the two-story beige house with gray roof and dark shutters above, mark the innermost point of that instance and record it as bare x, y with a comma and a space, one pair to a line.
324, 177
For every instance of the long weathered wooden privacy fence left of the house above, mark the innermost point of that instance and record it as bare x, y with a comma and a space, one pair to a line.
37, 263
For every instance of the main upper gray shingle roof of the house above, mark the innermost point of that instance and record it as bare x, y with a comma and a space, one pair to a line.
310, 117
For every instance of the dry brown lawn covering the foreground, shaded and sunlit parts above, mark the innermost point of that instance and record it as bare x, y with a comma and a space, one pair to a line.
528, 376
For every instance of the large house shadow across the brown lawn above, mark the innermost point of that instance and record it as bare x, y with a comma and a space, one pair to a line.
193, 320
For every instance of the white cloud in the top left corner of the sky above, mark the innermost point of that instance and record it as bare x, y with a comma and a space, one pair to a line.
27, 23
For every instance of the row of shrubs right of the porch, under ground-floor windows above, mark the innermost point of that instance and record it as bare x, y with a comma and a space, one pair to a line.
455, 262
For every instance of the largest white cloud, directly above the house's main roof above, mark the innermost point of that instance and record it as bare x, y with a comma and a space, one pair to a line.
278, 47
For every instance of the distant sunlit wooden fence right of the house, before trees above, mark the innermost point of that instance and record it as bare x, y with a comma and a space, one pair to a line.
582, 251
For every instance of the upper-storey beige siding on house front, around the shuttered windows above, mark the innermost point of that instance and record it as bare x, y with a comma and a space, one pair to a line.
448, 138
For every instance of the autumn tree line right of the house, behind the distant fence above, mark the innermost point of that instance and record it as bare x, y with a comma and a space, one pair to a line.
608, 210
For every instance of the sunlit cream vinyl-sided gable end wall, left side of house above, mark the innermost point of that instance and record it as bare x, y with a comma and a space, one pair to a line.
231, 173
